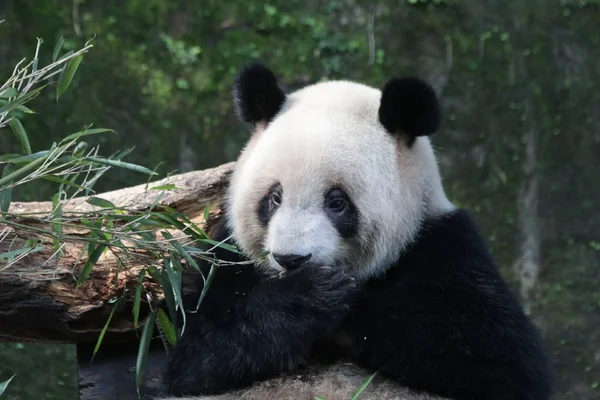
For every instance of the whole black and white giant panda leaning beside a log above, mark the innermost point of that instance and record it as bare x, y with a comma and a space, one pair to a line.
360, 264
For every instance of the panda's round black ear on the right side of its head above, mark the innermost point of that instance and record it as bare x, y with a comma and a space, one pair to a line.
409, 106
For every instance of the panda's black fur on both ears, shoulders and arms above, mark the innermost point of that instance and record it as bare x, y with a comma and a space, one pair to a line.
440, 320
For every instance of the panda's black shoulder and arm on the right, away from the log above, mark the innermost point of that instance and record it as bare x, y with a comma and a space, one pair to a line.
443, 320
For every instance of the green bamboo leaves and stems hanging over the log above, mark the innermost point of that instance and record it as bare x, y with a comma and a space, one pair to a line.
63, 163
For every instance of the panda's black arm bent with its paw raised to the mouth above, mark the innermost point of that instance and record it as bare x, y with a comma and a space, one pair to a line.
249, 328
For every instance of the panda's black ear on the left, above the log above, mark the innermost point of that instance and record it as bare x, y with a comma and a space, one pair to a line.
256, 94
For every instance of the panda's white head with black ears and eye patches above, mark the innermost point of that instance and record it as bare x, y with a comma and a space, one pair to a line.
335, 174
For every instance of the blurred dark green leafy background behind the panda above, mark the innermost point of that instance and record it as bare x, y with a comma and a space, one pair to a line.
520, 144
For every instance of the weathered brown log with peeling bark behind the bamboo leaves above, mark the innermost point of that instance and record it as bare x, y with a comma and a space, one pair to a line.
39, 300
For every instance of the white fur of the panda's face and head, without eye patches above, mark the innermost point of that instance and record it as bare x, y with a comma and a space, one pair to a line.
342, 117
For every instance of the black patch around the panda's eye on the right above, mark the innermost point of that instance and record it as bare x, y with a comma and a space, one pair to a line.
341, 211
